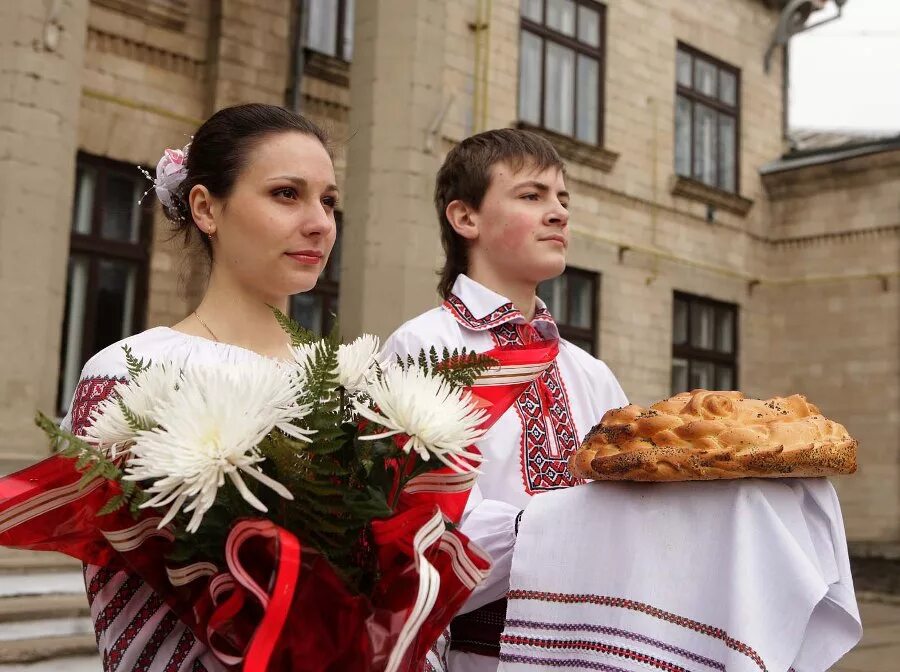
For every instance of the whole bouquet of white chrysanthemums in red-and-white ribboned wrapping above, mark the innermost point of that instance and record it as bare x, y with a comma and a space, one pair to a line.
326, 488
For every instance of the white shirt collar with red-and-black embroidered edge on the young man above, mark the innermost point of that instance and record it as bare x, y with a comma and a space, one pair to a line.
478, 308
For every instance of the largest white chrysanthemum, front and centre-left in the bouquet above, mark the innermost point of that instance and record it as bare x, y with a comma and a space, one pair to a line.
212, 427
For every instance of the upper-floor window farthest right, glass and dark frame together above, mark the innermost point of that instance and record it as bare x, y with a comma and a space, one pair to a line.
707, 119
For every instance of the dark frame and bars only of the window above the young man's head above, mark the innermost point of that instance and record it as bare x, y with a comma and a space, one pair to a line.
545, 33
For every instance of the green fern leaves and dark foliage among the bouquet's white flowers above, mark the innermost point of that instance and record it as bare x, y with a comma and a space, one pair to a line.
340, 483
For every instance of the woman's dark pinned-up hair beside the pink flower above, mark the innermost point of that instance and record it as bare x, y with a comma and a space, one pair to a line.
219, 150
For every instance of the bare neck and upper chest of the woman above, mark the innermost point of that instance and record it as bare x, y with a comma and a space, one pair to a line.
230, 313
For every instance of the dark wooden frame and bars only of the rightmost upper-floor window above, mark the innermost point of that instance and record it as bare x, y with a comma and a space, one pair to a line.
694, 96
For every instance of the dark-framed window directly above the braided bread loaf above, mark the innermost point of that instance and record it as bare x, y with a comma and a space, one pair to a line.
704, 344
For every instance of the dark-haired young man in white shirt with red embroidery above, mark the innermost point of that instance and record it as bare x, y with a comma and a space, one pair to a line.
502, 204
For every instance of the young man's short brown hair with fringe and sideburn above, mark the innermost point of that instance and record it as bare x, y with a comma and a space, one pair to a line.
466, 175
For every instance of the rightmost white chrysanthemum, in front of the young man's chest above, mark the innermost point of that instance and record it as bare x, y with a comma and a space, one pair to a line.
438, 419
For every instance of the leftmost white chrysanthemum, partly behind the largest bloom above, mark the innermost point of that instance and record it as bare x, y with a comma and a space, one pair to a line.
143, 397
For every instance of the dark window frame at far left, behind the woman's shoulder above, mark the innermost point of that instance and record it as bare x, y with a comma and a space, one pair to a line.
95, 249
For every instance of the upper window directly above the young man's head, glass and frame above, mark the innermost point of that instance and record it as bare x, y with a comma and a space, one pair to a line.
561, 67
